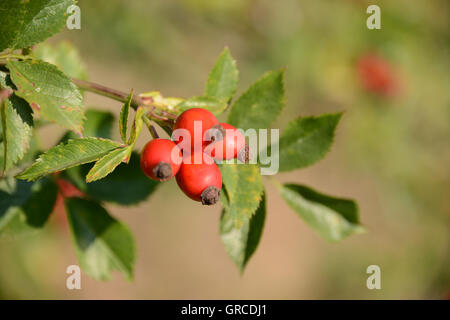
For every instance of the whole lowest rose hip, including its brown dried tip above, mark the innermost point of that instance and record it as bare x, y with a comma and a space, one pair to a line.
200, 179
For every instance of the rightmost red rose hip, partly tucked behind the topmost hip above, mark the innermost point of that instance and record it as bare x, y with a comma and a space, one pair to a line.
229, 146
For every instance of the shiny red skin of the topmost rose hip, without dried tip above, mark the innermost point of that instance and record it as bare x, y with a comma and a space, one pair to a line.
186, 121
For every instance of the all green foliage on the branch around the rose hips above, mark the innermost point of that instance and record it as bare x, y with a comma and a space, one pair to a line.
101, 242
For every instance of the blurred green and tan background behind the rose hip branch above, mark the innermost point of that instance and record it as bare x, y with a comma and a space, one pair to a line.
391, 153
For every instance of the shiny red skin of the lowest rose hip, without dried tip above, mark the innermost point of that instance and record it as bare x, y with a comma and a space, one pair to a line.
193, 178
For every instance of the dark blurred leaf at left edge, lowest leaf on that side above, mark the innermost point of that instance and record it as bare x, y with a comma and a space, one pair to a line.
25, 206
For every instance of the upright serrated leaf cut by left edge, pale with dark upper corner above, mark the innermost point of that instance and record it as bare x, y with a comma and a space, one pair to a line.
17, 126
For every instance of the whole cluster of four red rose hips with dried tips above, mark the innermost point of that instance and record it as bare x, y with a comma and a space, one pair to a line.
198, 141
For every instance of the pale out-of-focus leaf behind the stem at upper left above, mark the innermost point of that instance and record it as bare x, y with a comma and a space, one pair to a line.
63, 55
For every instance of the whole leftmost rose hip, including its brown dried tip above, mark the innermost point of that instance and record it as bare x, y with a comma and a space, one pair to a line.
161, 159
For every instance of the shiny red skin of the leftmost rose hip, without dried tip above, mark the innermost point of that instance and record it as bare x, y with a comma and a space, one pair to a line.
158, 150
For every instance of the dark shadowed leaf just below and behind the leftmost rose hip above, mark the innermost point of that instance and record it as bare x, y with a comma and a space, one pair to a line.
126, 185
